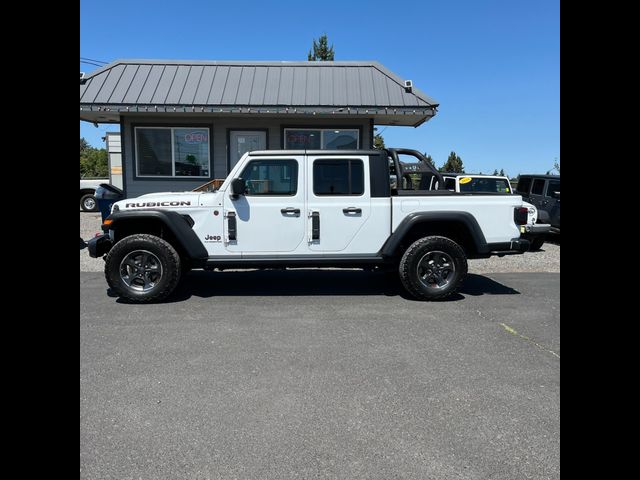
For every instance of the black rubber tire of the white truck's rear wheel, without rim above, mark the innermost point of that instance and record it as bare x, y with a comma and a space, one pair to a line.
417, 251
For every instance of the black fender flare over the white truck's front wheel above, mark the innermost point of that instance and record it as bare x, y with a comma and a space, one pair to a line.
173, 221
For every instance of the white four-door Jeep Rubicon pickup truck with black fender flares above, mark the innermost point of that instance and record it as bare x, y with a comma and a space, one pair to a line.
310, 208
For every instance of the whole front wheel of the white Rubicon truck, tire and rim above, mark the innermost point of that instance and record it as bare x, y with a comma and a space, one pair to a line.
143, 268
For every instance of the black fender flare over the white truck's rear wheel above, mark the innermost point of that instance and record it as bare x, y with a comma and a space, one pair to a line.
415, 218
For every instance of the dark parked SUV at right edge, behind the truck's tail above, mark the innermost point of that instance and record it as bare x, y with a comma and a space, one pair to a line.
543, 191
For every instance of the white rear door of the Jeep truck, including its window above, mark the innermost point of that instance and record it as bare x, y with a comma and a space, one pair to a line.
340, 215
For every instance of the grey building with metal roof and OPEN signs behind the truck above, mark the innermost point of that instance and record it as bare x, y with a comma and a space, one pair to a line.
183, 123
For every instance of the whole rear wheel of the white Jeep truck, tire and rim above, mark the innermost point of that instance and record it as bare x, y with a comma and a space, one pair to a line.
433, 267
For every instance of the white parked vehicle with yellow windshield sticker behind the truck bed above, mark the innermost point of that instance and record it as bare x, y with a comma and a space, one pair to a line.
533, 231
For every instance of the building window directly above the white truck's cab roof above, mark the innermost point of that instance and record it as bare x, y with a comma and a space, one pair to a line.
321, 139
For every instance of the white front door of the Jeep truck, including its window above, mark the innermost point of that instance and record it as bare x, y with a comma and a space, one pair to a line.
270, 216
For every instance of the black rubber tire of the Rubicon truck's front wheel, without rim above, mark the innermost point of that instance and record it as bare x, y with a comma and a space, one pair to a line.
162, 250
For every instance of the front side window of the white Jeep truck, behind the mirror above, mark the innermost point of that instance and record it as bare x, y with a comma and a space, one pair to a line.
271, 177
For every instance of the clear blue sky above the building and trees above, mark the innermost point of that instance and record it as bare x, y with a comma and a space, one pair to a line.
494, 66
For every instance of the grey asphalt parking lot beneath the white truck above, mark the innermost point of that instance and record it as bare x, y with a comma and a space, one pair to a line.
321, 374
